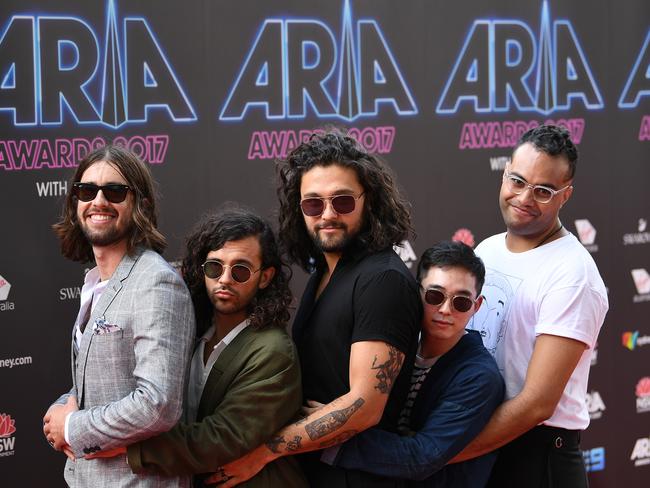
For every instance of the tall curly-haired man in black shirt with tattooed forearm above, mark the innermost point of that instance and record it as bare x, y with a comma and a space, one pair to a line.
340, 215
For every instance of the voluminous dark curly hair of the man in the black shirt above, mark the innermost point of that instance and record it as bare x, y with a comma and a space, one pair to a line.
387, 216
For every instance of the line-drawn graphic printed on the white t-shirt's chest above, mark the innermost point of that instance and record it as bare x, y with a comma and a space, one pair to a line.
491, 321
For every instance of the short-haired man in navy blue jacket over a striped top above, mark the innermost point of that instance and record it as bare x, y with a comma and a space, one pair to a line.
455, 385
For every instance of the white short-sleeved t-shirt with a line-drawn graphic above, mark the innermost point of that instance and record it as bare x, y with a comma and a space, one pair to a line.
554, 289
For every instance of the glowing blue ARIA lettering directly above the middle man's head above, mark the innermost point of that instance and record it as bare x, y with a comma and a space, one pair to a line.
297, 66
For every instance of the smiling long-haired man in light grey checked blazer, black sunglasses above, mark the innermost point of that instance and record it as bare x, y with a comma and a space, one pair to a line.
133, 335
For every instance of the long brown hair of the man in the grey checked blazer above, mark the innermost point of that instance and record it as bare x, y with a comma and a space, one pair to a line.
74, 244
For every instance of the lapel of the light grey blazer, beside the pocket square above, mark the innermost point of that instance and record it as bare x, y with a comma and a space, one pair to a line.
113, 287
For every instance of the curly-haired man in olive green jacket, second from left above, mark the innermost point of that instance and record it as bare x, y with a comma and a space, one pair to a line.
245, 377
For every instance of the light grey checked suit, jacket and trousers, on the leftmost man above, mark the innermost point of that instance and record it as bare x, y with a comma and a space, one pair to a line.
129, 382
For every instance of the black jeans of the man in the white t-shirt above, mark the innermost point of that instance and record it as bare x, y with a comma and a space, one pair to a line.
543, 457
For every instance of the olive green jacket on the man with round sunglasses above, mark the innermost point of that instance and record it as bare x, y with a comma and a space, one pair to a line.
253, 390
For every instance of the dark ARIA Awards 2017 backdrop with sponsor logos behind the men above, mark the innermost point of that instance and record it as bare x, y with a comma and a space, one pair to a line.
211, 92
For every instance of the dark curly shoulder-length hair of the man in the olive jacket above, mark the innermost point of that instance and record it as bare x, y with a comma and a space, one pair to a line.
270, 307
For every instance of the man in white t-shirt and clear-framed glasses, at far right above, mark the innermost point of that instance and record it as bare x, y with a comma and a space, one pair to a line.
544, 305
